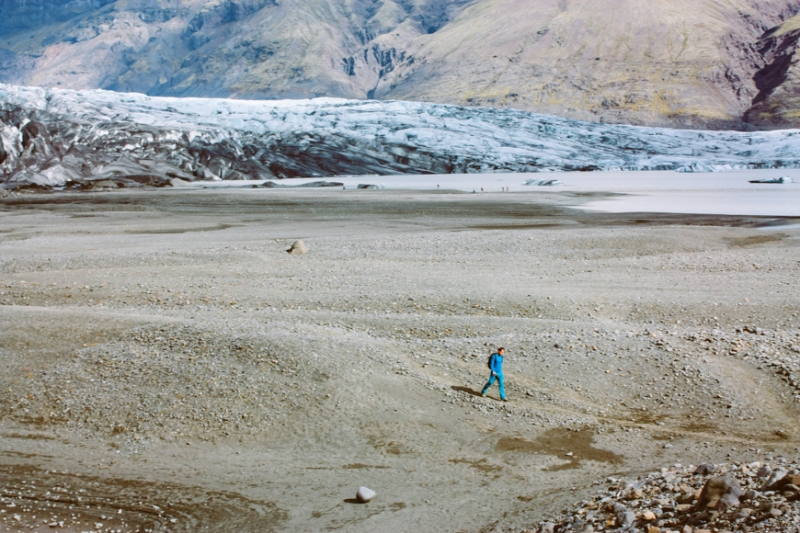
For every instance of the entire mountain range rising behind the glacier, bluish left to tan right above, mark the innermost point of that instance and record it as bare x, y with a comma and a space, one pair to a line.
685, 63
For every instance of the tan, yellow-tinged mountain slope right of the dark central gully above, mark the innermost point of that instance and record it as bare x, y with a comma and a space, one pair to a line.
684, 62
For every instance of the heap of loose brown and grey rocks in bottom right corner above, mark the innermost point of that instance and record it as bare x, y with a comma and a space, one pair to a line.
726, 497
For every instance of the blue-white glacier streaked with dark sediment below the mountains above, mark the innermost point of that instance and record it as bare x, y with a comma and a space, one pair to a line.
57, 138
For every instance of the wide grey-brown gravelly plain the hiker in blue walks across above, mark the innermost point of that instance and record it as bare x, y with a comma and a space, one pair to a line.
169, 367
